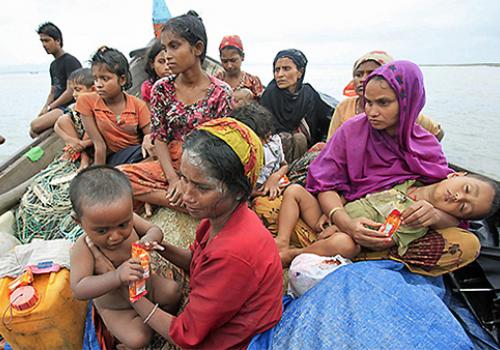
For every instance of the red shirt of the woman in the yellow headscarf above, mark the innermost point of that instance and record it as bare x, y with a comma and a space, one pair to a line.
236, 284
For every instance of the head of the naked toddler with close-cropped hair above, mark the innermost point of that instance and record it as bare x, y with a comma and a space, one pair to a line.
101, 197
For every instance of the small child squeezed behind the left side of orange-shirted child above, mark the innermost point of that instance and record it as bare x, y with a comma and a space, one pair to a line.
69, 126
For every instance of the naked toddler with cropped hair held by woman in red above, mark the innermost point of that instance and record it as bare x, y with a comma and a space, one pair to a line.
102, 203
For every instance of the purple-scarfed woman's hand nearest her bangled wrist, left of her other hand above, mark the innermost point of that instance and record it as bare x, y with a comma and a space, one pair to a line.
368, 237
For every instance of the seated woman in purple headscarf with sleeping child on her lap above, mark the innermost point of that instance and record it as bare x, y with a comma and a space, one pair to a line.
381, 148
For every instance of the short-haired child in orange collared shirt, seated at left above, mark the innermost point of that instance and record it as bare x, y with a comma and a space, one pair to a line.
116, 122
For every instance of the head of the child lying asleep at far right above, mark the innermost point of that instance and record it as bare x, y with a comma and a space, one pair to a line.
467, 196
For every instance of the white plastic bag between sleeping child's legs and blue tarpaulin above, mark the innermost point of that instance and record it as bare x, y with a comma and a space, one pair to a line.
307, 270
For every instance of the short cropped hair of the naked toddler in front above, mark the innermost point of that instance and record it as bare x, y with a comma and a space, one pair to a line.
100, 184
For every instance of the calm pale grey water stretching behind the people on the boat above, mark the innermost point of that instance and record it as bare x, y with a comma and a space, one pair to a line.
463, 99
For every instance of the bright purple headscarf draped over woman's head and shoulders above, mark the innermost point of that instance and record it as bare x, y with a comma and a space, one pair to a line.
359, 159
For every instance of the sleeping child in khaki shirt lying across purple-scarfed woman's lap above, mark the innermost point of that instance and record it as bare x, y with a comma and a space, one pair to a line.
464, 197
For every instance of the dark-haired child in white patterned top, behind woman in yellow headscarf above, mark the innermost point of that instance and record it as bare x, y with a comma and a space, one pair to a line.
273, 174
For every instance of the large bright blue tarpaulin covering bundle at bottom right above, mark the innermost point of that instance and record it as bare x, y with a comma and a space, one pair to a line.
369, 305
